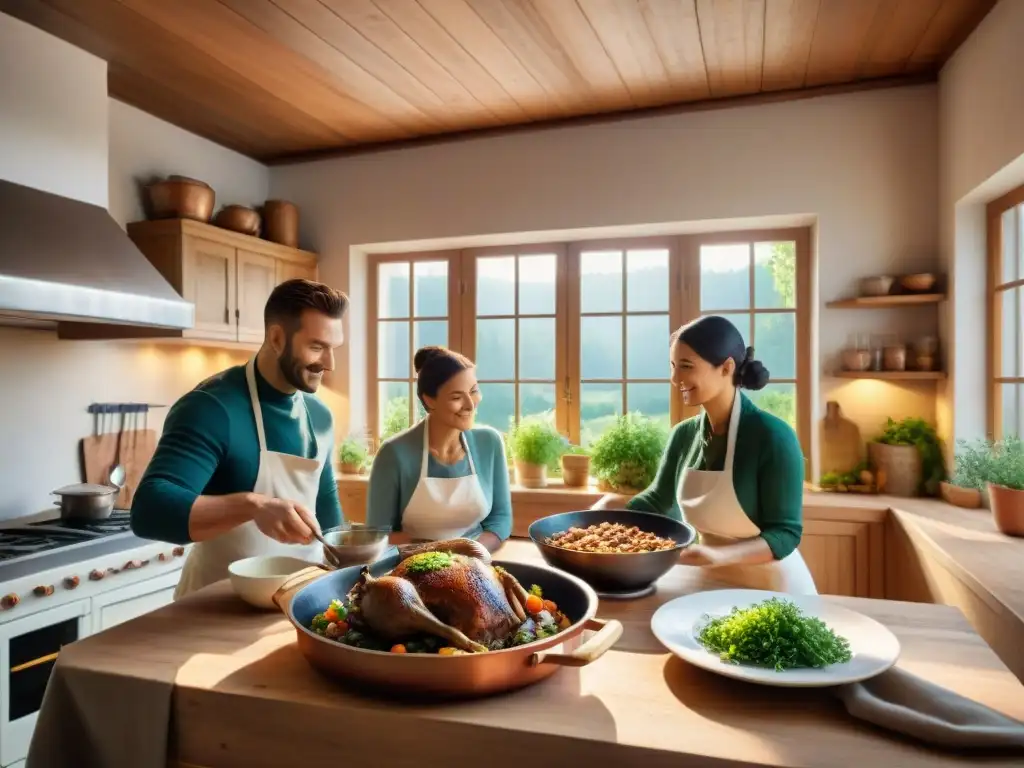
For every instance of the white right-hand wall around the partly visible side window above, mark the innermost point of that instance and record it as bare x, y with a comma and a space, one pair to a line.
982, 130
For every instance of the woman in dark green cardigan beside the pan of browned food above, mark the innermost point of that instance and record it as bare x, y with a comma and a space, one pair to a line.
735, 473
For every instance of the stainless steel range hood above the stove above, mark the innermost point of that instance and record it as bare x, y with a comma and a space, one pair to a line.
65, 261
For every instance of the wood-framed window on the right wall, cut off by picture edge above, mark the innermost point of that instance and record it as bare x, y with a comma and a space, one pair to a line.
1006, 280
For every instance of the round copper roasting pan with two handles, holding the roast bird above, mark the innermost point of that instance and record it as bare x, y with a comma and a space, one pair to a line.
312, 590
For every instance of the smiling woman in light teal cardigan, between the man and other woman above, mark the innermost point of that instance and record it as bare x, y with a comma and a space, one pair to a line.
444, 478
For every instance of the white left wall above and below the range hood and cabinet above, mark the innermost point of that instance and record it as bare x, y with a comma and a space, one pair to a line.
54, 136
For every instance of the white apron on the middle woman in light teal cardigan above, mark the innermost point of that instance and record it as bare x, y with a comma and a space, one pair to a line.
444, 507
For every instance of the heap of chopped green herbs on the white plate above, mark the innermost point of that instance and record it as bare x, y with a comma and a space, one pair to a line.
775, 633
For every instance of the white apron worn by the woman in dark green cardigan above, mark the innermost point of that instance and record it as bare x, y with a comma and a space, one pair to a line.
709, 503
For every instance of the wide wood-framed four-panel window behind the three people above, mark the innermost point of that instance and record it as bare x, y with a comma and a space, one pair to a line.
579, 332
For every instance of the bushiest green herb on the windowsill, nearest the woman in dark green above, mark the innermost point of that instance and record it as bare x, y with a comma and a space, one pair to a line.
625, 457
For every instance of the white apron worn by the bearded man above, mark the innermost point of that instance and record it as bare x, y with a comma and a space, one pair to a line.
294, 479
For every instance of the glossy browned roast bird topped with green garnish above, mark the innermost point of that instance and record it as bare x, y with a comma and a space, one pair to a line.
448, 589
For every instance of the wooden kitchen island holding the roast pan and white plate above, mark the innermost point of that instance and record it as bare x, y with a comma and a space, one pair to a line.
241, 695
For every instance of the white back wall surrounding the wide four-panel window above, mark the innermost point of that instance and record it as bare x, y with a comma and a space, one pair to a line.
865, 165
